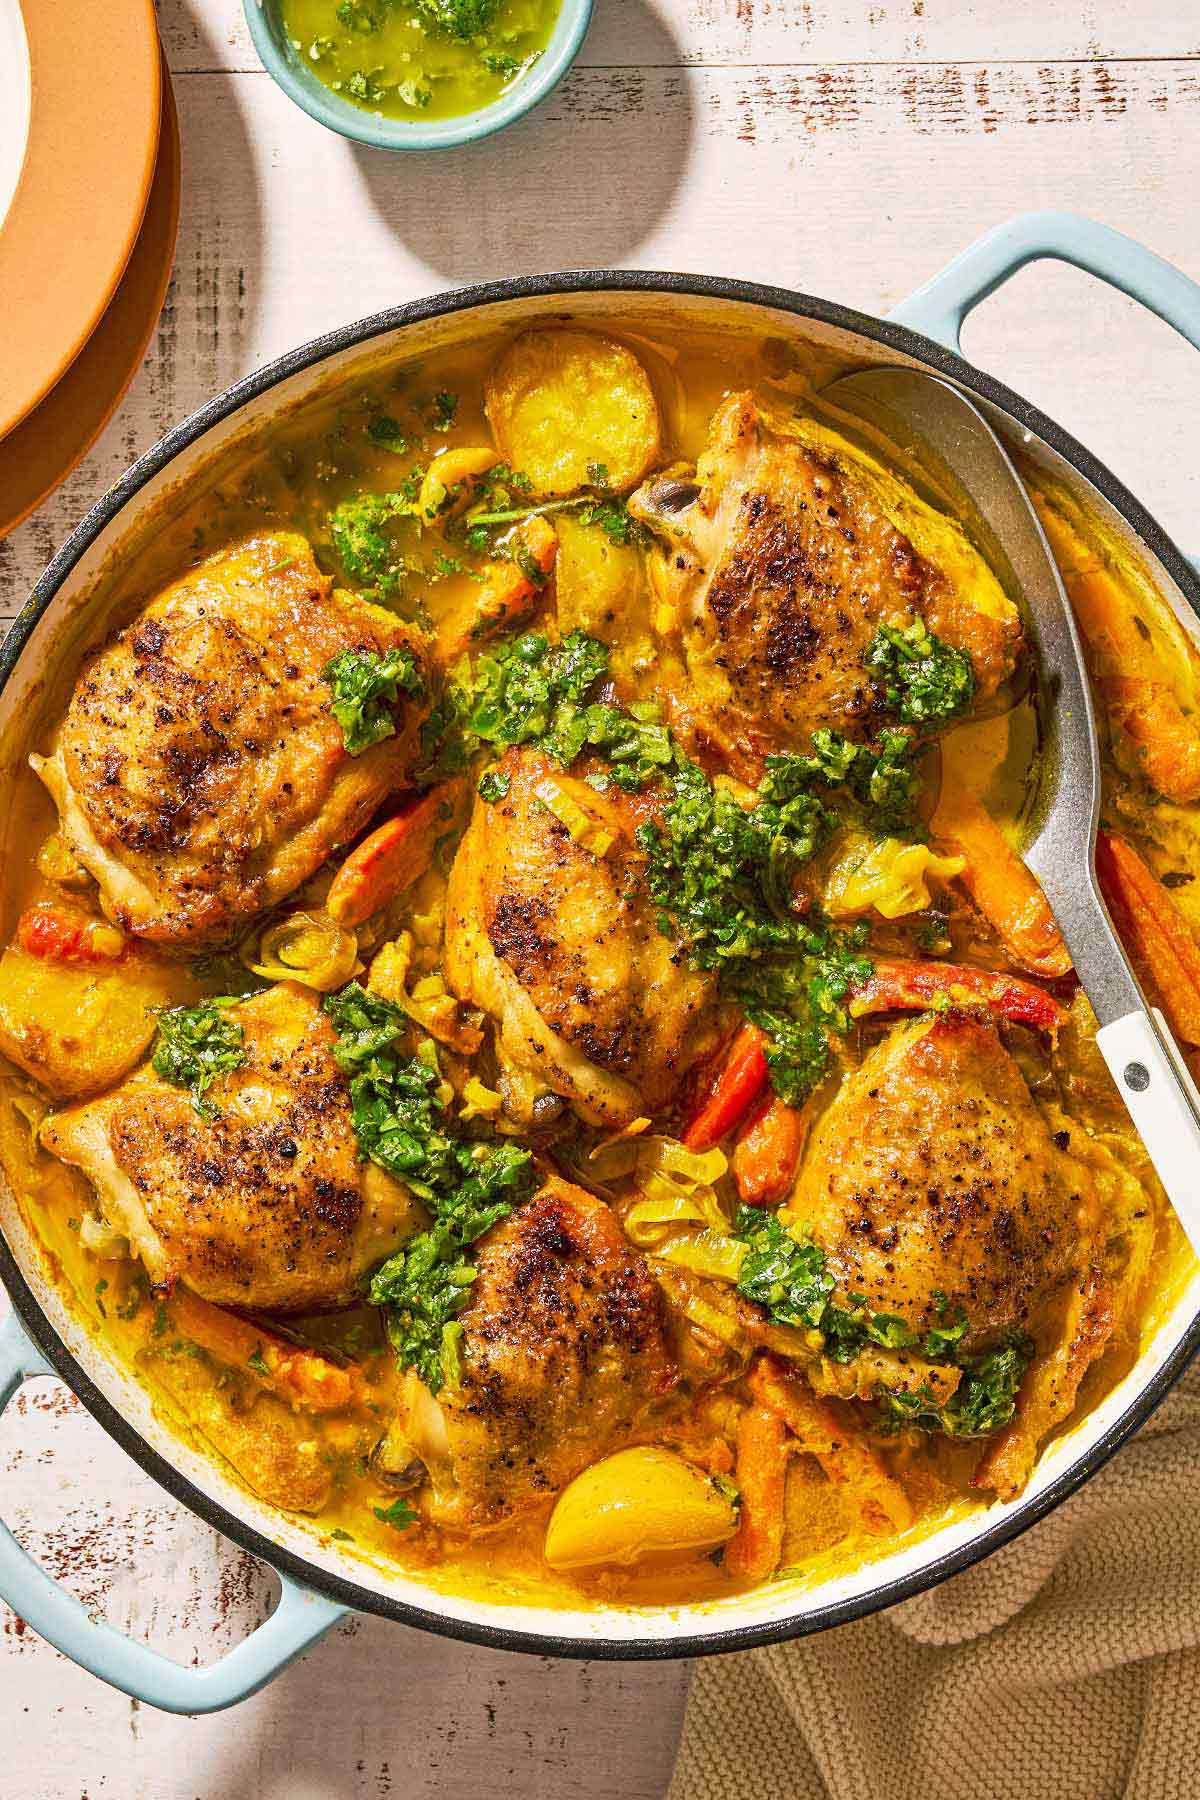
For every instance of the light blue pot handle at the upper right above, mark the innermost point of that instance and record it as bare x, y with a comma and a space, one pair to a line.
940, 309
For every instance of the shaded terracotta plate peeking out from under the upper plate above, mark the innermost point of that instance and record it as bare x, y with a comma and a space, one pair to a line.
42, 451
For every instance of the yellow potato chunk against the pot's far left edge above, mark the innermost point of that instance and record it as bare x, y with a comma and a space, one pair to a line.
78, 1027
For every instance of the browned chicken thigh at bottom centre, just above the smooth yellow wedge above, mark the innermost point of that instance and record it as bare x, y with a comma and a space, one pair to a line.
564, 1353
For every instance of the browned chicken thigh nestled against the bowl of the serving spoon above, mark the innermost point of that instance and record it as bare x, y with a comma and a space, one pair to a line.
785, 559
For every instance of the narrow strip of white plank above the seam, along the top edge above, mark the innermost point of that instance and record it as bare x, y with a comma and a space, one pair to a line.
791, 31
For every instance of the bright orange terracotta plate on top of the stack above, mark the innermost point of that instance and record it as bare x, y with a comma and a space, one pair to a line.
93, 91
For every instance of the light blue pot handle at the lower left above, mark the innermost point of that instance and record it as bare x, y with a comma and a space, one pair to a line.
296, 1624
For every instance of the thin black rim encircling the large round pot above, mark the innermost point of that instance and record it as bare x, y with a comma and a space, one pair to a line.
568, 285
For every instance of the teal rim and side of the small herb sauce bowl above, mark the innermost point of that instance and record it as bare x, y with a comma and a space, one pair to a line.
303, 87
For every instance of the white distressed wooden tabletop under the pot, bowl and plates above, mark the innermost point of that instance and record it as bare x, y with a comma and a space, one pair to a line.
843, 147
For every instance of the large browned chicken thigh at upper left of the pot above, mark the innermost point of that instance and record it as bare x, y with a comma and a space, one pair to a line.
201, 773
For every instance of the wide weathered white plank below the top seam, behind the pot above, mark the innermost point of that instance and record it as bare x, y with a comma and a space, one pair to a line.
848, 183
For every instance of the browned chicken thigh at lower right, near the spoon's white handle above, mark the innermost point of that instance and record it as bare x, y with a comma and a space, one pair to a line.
935, 1183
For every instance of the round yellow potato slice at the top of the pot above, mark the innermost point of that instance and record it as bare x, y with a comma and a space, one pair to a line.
562, 402
